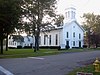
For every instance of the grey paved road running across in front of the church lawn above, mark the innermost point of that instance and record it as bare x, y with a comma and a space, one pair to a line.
48, 65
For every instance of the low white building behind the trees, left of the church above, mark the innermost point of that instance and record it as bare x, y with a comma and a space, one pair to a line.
18, 41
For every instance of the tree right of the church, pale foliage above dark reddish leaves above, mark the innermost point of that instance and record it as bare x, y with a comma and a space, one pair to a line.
92, 27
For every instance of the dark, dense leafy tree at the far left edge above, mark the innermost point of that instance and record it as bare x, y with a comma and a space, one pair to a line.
10, 14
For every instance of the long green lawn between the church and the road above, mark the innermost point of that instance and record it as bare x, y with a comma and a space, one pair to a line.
21, 53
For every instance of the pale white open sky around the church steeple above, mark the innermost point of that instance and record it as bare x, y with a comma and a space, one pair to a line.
82, 6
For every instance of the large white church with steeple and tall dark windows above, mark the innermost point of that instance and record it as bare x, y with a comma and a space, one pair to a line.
70, 34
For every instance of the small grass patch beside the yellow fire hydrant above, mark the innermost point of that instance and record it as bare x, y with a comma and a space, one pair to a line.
86, 69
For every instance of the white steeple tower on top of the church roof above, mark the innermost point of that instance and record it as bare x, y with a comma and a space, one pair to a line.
70, 13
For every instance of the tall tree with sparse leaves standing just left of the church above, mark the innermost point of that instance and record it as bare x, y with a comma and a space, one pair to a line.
35, 10
